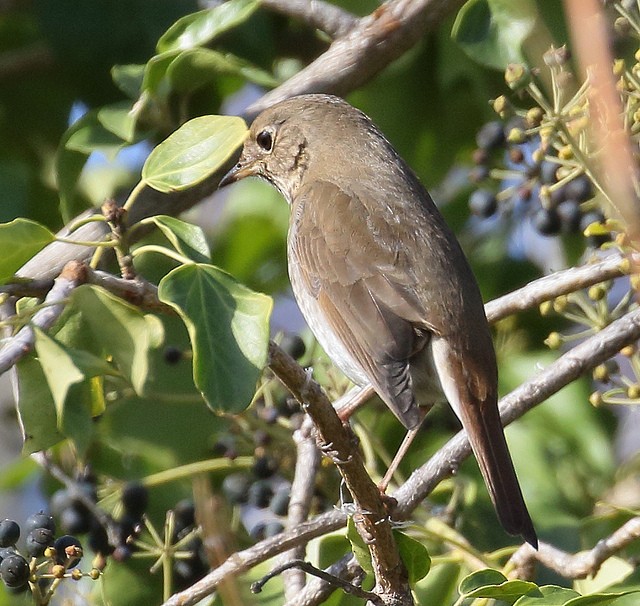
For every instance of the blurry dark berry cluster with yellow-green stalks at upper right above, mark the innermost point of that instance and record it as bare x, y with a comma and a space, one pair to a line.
533, 165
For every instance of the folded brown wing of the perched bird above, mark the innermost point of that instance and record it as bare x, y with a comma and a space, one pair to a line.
363, 285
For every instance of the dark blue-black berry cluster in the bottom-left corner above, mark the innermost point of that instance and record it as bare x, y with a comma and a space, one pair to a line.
45, 557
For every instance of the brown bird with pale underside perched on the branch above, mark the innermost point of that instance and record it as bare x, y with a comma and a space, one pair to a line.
381, 279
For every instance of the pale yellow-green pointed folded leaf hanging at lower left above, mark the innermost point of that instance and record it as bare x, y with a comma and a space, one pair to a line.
64, 367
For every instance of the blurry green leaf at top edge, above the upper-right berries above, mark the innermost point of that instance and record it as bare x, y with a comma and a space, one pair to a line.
492, 32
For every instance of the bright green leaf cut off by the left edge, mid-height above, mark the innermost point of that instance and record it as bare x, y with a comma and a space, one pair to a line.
20, 239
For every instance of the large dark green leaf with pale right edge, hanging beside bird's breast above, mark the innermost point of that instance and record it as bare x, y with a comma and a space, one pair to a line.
228, 326
